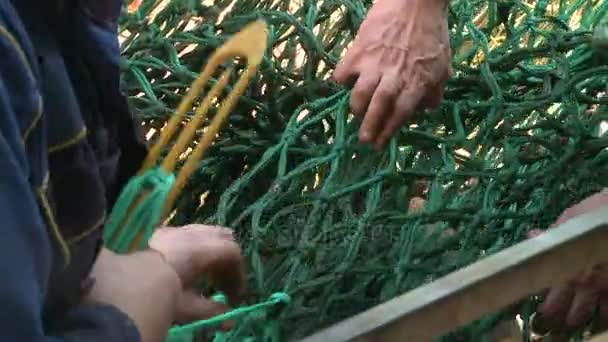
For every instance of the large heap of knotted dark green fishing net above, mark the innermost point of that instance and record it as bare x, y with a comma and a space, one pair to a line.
340, 227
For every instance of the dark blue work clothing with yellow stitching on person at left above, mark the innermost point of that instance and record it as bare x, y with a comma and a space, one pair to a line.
67, 146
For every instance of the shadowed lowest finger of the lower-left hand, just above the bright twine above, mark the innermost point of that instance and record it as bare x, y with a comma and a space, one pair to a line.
192, 307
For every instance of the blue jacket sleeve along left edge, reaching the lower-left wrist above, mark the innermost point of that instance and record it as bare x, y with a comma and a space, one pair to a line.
25, 244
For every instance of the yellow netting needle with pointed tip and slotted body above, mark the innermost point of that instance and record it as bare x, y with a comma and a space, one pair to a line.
250, 44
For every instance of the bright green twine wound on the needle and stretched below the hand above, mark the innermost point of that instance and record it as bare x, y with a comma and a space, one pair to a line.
154, 185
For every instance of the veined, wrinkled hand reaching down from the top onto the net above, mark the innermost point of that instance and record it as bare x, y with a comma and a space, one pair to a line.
399, 62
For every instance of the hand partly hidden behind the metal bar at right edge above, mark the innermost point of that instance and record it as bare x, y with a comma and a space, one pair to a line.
570, 305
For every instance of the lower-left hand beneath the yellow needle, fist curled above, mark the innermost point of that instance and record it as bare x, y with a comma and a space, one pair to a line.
155, 287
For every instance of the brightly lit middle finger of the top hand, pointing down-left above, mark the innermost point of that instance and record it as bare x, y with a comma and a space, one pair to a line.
379, 109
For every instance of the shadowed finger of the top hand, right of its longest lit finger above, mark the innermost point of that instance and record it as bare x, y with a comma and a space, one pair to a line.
404, 109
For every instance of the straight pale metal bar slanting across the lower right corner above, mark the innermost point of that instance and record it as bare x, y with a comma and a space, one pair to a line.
481, 288
